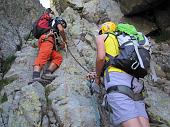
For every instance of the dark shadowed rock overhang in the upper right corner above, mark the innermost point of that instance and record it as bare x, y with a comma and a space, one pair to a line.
153, 10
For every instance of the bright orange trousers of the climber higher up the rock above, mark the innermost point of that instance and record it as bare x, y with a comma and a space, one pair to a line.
47, 52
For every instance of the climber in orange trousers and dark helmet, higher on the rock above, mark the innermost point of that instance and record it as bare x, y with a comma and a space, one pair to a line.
47, 51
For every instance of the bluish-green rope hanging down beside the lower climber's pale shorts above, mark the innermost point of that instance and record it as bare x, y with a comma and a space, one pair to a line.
94, 104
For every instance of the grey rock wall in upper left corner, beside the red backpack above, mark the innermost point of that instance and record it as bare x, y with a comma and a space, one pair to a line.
16, 19
